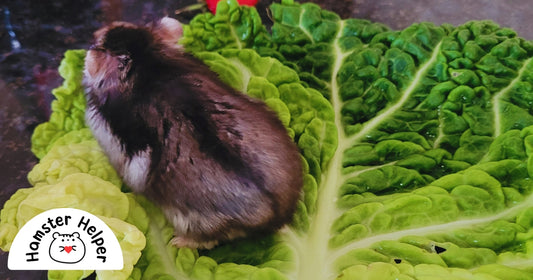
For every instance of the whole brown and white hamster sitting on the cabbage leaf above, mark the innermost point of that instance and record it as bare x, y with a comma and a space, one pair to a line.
218, 163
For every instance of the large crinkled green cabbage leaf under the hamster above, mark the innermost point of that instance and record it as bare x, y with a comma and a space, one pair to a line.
417, 147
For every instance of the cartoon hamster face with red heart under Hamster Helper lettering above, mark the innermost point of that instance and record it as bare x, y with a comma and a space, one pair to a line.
67, 248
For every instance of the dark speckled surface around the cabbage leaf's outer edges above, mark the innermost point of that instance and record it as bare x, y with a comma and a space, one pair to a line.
45, 29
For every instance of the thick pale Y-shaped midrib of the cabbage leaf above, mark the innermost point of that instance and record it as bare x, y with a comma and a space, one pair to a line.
314, 252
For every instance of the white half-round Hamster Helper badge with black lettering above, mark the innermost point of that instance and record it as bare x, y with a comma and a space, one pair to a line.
65, 239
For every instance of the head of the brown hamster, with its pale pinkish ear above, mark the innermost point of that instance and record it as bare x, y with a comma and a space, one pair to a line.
112, 63
